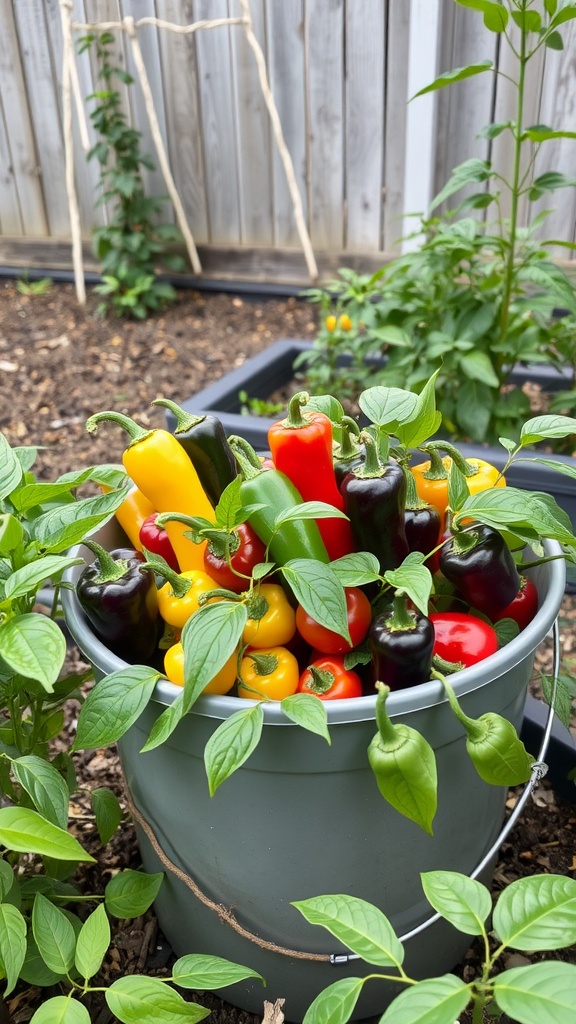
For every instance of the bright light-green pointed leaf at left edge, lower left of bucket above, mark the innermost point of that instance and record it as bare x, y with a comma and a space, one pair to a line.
27, 832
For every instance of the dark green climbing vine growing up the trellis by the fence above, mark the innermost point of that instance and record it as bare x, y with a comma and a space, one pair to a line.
133, 244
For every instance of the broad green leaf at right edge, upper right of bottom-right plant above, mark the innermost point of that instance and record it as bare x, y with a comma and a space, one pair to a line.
538, 913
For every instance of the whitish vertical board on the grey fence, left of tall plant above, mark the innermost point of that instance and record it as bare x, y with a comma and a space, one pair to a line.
395, 144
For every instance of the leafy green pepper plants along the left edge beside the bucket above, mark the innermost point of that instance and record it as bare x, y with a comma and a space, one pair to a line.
44, 942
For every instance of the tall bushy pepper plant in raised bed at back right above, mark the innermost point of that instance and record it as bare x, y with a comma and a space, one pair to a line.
477, 297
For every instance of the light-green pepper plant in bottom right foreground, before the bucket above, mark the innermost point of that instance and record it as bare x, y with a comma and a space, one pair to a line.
534, 914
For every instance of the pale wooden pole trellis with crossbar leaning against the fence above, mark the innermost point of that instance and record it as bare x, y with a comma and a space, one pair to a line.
71, 88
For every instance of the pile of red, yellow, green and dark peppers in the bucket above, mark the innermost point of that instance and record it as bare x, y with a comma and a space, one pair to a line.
182, 554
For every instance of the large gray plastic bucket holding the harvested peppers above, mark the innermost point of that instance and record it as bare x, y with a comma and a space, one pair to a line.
302, 819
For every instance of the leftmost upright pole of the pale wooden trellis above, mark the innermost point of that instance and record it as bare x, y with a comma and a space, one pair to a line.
68, 58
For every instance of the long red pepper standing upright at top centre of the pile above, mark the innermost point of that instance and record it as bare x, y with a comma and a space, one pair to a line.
302, 448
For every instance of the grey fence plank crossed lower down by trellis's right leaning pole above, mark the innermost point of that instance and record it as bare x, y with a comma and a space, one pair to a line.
286, 58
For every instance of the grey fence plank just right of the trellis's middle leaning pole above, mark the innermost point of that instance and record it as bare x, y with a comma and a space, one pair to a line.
180, 74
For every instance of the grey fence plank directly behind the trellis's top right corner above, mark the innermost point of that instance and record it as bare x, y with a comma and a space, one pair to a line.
254, 131
